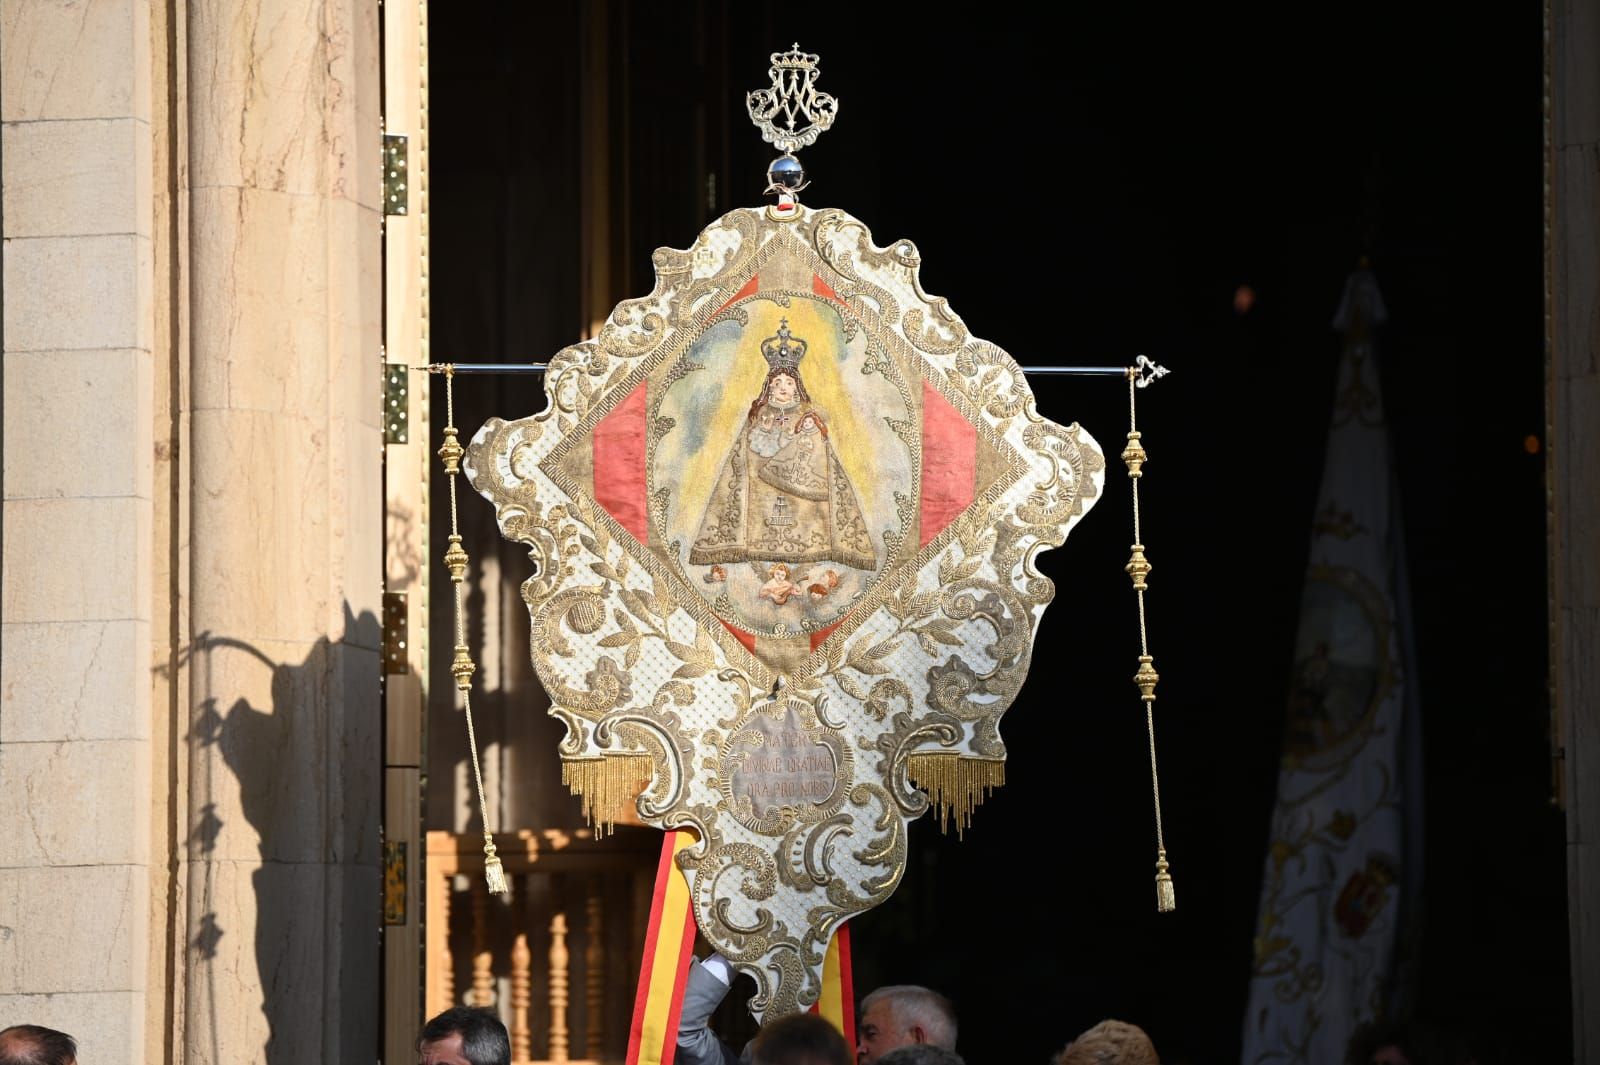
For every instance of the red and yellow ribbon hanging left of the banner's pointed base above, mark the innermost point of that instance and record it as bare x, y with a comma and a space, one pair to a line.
670, 946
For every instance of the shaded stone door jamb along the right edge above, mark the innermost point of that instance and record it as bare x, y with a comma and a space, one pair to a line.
1574, 245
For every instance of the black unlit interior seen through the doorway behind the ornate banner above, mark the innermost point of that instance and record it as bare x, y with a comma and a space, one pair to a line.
1086, 188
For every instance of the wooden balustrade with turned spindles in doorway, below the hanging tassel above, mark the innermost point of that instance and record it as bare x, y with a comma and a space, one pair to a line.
575, 920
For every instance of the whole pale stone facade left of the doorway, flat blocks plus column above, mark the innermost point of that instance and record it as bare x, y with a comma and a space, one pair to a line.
193, 529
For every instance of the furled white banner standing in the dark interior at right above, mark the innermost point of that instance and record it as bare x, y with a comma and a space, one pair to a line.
1345, 858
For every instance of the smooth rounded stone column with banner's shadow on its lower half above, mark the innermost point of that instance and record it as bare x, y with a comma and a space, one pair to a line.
286, 532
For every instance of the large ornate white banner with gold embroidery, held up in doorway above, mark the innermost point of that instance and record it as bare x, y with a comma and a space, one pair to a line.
783, 516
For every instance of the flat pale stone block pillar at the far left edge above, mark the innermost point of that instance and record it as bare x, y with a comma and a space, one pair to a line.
76, 791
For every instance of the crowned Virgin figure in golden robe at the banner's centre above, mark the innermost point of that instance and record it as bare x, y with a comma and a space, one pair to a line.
782, 495
